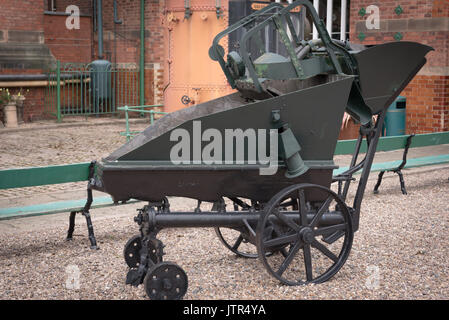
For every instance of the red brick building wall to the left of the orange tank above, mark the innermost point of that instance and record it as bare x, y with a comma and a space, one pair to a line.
33, 36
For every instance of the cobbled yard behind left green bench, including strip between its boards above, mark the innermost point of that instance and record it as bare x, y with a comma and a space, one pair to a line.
45, 144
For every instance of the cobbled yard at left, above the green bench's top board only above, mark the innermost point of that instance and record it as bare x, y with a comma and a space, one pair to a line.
61, 144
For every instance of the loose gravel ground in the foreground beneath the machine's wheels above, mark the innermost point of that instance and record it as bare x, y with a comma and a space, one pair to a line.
402, 243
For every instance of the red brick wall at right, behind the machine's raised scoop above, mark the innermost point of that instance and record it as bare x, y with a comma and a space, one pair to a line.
422, 21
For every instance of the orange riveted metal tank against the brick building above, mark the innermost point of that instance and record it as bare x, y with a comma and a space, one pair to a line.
190, 76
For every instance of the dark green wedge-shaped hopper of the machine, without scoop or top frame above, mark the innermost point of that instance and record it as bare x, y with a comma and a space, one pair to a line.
137, 169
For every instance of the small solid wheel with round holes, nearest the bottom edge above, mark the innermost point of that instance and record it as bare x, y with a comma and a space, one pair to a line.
165, 281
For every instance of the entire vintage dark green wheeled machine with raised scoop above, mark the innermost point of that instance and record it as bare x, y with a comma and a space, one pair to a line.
292, 95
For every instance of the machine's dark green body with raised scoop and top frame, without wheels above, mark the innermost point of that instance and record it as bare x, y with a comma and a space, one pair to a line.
310, 95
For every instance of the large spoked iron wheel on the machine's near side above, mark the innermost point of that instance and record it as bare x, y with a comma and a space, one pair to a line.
317, 235
